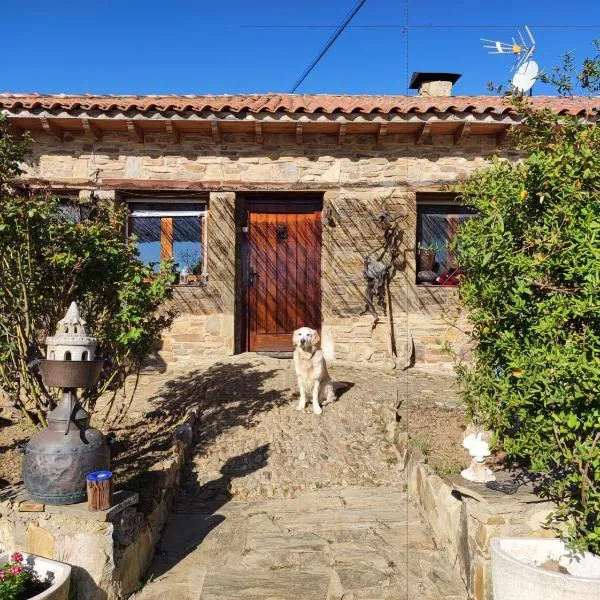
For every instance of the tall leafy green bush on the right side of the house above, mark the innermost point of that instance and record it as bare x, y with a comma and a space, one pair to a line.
532, 259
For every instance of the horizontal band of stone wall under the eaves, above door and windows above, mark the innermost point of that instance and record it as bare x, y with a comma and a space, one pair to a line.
318, 160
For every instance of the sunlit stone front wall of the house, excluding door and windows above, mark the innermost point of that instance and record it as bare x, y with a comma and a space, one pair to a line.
359, 179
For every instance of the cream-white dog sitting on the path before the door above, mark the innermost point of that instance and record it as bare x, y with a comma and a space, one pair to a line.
311, 369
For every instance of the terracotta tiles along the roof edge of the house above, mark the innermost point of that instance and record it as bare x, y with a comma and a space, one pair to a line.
292, 103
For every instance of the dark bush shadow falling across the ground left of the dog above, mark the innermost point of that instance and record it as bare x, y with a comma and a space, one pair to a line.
226, 394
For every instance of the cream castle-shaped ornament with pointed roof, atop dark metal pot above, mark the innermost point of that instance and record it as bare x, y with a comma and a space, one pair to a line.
72, 340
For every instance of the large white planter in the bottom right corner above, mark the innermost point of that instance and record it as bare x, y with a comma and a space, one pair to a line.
516, 572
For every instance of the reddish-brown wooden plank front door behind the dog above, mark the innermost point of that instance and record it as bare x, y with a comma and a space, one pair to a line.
283, 275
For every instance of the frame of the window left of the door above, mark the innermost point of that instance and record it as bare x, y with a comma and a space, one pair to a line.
170, 214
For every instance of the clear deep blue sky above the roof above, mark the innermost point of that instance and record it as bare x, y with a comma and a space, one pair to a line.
224, 47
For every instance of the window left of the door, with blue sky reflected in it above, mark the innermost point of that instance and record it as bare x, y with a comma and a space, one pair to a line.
171, 230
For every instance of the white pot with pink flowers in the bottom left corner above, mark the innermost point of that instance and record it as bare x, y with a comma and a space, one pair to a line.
29, 577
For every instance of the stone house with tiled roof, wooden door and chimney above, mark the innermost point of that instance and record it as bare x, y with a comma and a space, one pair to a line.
270, 204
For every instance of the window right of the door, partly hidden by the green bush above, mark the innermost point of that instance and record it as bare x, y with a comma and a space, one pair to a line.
437, 226
